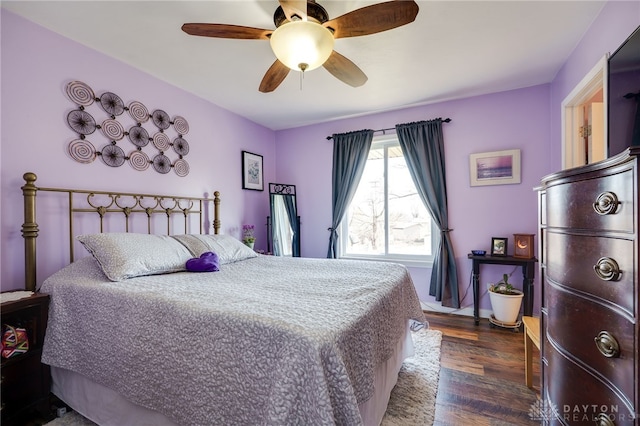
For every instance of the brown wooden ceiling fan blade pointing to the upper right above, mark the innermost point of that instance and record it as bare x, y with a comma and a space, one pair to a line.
373, 19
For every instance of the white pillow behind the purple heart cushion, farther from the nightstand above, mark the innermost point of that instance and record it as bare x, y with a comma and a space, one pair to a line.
227, 248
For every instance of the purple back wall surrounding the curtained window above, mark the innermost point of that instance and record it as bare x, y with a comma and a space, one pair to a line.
516, 119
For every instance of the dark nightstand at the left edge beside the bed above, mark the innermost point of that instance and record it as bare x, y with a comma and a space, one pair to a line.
26, 381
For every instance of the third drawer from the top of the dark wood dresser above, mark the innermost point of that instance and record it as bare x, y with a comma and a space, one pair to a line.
574, 322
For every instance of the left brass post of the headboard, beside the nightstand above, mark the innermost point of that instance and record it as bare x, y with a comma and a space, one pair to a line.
30, 230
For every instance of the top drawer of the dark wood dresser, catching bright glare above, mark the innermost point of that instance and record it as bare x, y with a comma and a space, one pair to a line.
571, 205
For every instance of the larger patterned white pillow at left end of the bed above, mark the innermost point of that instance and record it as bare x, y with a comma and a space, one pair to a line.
128, 255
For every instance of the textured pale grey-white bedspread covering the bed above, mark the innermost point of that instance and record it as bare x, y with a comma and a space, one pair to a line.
269, 340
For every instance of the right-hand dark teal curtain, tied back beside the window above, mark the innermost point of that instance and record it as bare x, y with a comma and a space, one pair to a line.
422, 144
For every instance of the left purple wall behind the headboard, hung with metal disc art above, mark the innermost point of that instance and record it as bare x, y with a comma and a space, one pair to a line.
36, 66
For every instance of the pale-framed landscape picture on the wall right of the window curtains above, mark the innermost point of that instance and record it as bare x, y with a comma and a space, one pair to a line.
495, 168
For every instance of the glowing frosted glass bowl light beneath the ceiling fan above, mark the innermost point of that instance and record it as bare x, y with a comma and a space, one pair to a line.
302, 45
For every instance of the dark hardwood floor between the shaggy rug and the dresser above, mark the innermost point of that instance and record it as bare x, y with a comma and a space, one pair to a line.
482, 374
